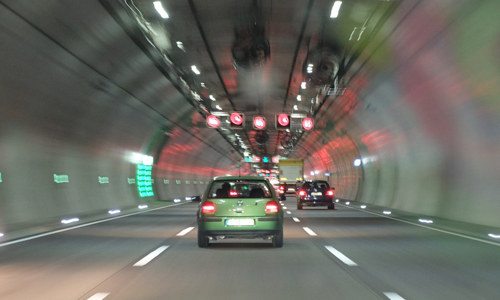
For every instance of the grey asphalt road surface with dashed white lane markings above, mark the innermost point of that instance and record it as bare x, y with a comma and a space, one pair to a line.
344, 254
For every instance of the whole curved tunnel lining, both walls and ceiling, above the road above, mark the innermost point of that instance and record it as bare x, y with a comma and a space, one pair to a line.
97, 95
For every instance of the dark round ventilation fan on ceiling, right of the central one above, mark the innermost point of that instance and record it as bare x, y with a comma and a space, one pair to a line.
321, 67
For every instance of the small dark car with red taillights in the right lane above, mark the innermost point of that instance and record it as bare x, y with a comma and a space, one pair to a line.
315, 193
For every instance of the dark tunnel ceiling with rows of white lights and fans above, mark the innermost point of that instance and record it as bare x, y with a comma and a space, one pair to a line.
252, 58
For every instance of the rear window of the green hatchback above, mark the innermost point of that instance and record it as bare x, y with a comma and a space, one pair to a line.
240, 189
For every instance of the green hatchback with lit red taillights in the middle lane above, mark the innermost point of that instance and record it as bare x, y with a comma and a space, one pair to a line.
240, 207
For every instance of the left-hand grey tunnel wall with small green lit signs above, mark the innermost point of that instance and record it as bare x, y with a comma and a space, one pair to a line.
74, 113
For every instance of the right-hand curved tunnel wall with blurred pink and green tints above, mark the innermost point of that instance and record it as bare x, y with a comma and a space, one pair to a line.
427, 125
